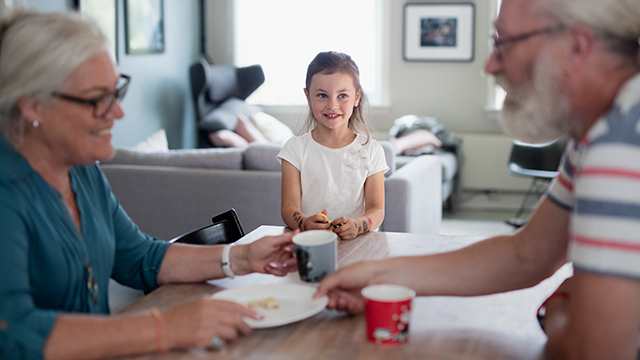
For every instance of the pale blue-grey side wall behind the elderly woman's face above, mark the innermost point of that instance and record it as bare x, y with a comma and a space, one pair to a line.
159, 95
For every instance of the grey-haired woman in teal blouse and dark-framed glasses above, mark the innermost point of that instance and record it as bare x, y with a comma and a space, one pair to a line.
64, 234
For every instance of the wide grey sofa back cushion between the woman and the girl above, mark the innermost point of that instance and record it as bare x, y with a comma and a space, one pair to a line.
218, 158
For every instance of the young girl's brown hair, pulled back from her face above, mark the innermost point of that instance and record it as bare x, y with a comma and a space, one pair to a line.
332, 62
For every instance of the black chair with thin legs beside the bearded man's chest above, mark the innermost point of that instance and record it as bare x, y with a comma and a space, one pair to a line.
539, 161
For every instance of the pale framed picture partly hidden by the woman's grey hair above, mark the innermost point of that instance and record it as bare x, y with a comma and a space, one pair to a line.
104, 12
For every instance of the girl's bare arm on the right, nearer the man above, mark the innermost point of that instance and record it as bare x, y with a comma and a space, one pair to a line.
373, 214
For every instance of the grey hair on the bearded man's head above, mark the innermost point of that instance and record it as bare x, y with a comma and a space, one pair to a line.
616, 22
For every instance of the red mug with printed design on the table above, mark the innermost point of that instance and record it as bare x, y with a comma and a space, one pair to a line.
387, 311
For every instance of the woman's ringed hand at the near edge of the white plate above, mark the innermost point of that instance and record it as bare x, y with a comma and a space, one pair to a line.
196, 323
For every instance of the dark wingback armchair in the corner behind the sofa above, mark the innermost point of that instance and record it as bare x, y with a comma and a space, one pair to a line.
219, 92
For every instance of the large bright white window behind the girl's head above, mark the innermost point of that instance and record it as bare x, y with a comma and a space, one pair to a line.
285, 35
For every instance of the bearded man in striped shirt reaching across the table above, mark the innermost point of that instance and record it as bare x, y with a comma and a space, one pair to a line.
569, 67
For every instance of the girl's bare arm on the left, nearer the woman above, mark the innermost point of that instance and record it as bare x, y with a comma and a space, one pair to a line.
291, 196
